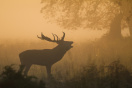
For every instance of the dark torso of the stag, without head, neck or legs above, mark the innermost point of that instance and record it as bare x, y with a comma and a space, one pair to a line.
49, 56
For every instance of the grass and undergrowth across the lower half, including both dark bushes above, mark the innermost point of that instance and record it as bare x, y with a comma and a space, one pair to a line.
69, 72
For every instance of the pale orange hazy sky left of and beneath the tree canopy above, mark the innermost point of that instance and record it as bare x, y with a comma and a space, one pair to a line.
22, 19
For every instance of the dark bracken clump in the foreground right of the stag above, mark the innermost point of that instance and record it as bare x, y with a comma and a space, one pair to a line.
115, 75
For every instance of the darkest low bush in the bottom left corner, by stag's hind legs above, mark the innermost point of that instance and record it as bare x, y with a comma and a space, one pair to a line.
11, 78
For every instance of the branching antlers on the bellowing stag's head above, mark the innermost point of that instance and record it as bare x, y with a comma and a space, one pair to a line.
43, 37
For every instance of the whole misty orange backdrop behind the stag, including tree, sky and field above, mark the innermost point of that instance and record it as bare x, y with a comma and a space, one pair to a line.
101, 32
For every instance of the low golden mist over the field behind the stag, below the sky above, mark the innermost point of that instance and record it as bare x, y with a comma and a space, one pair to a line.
85, 51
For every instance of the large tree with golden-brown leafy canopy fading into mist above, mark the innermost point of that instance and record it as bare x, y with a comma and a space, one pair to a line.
93, 14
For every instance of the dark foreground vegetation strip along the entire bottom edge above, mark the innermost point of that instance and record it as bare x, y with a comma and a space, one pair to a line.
115, 75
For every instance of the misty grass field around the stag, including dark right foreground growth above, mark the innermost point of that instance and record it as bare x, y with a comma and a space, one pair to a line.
93, 64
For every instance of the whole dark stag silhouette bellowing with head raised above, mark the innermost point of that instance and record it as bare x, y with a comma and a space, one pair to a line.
45, 57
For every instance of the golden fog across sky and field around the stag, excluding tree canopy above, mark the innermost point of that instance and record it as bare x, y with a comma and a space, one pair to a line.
21, 22
